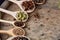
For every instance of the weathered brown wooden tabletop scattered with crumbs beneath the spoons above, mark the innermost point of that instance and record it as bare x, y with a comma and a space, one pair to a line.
43, 24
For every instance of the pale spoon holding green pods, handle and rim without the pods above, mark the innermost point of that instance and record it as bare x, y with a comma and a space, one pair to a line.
14, 14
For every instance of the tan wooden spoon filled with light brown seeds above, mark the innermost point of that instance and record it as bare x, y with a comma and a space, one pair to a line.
15, 31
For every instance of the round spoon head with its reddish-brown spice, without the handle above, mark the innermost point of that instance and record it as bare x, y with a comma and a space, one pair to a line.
28, 6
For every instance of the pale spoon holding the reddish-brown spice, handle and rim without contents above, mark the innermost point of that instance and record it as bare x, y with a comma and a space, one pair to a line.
19, 3
